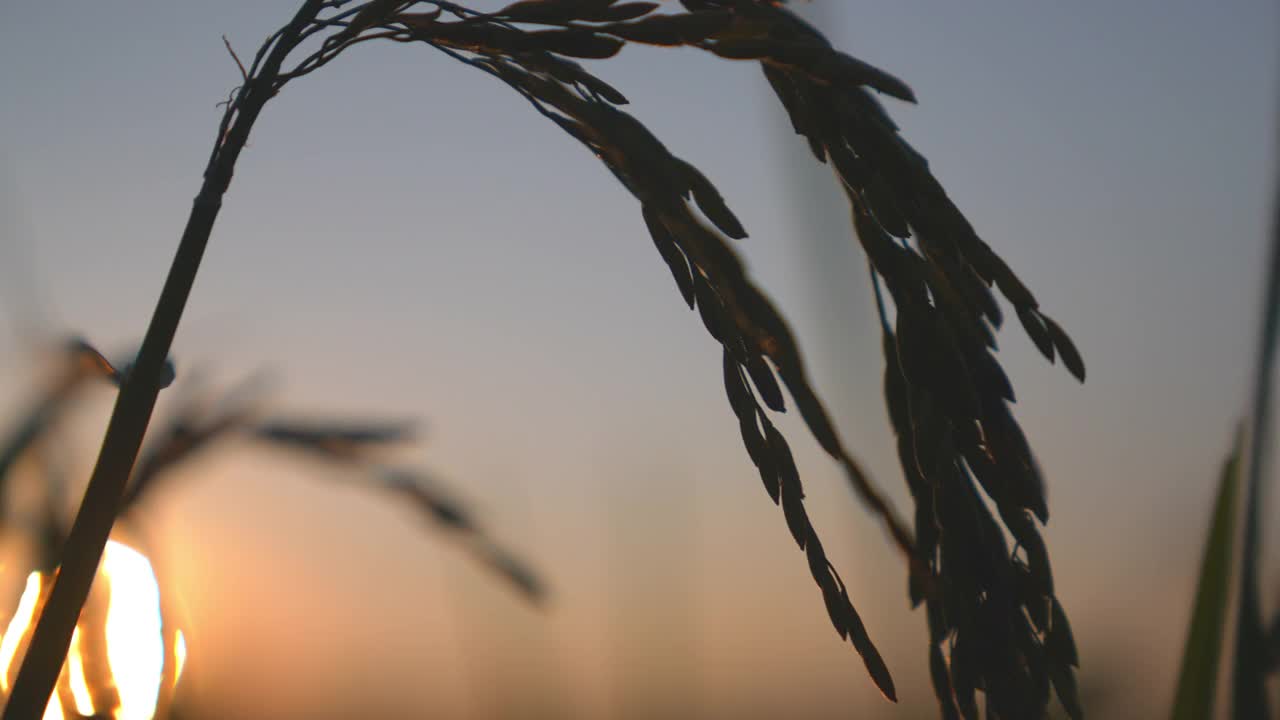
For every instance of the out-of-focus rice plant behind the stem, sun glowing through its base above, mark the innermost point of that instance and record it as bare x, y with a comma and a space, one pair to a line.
130, 651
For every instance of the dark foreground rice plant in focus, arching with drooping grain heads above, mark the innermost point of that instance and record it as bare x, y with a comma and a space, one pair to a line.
995, 625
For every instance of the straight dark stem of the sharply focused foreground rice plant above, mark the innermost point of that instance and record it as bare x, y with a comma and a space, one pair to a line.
89, 535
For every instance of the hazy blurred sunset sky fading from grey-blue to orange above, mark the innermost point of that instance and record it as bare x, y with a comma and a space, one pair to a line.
406, 239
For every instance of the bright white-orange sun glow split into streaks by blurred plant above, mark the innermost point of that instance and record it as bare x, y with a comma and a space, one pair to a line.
134, 640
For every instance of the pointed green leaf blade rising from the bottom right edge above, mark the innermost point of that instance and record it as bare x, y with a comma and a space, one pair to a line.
1197, 681
